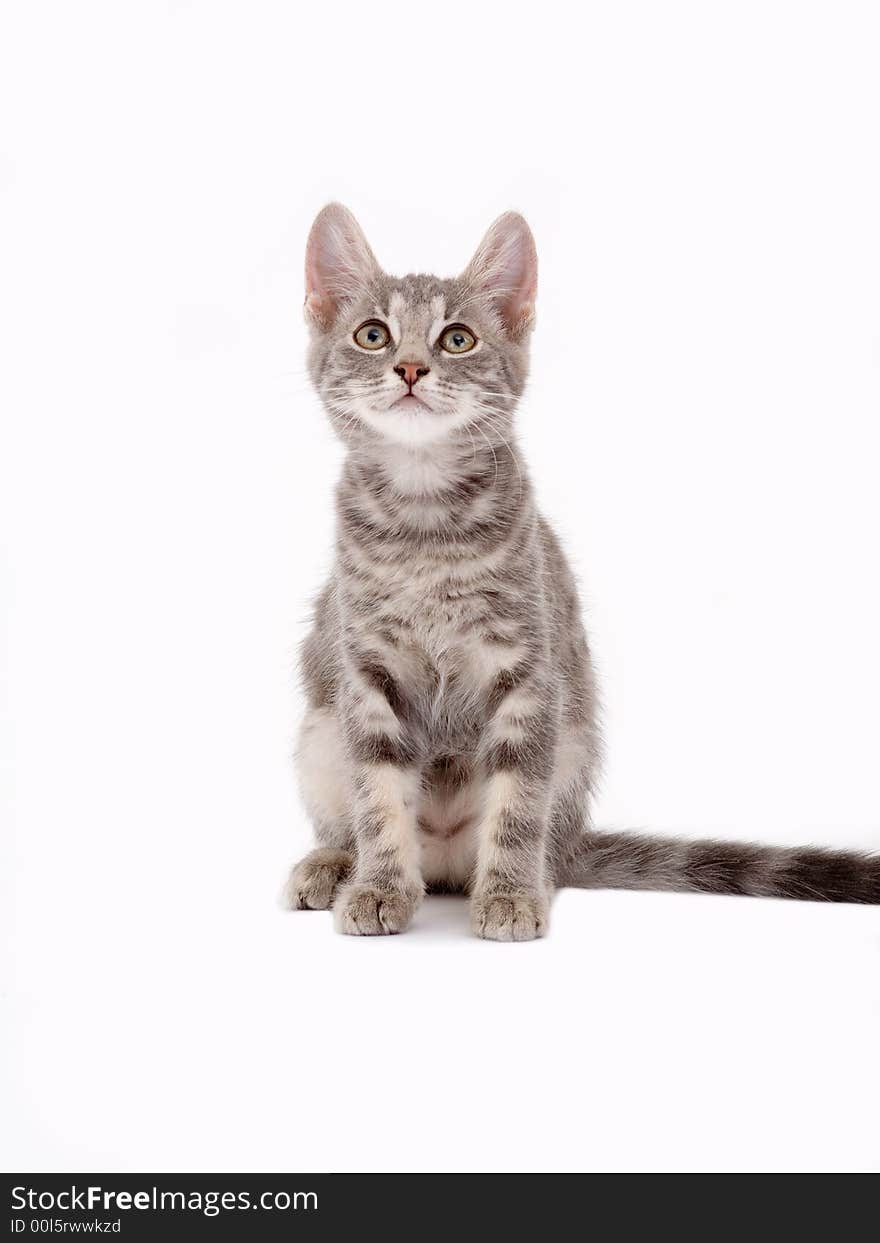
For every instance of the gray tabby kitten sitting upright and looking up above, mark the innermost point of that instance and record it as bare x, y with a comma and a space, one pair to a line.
452, 739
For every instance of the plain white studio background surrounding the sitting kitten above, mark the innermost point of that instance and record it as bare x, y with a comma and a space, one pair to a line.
703, 426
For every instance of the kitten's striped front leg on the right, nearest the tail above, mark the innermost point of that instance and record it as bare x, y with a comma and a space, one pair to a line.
511, 888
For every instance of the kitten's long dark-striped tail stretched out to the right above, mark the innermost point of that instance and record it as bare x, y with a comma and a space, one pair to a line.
628, 861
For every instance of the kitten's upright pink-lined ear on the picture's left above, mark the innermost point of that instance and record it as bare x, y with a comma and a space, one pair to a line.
340, 264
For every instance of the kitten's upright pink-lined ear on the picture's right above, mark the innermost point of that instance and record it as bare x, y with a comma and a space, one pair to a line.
505, 273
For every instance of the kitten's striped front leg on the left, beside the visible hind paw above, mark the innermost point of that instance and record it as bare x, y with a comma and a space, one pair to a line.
386, 887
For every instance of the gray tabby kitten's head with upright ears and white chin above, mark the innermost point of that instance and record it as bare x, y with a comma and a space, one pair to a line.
418, 361
